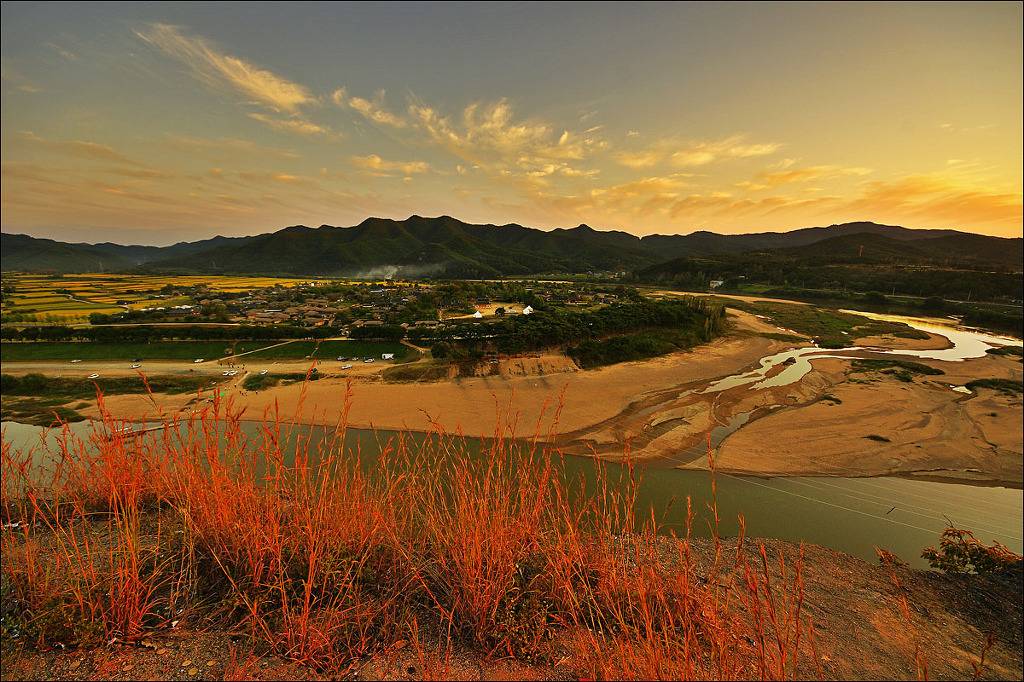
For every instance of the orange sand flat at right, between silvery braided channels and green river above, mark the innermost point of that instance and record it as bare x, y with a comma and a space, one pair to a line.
928, 429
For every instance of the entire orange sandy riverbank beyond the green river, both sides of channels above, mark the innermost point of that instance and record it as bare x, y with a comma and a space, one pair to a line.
658, 410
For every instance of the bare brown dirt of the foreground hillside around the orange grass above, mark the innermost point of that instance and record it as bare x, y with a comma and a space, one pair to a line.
861, 634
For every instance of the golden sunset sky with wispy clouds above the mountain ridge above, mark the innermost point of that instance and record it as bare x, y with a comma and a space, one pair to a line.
153, 123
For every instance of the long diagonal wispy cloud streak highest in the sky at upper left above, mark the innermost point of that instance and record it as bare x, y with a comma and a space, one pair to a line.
223, 71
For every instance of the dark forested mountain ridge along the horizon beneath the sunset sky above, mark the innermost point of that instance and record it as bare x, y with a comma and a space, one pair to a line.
448, 247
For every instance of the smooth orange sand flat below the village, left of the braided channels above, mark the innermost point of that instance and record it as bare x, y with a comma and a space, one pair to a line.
473, 405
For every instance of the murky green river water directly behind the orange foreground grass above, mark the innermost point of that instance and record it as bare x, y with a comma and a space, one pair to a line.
852, 516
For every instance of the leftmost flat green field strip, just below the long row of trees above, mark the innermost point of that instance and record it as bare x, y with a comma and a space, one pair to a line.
46, 351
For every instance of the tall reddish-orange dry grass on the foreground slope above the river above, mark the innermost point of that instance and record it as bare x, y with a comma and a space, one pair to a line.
328, 560
